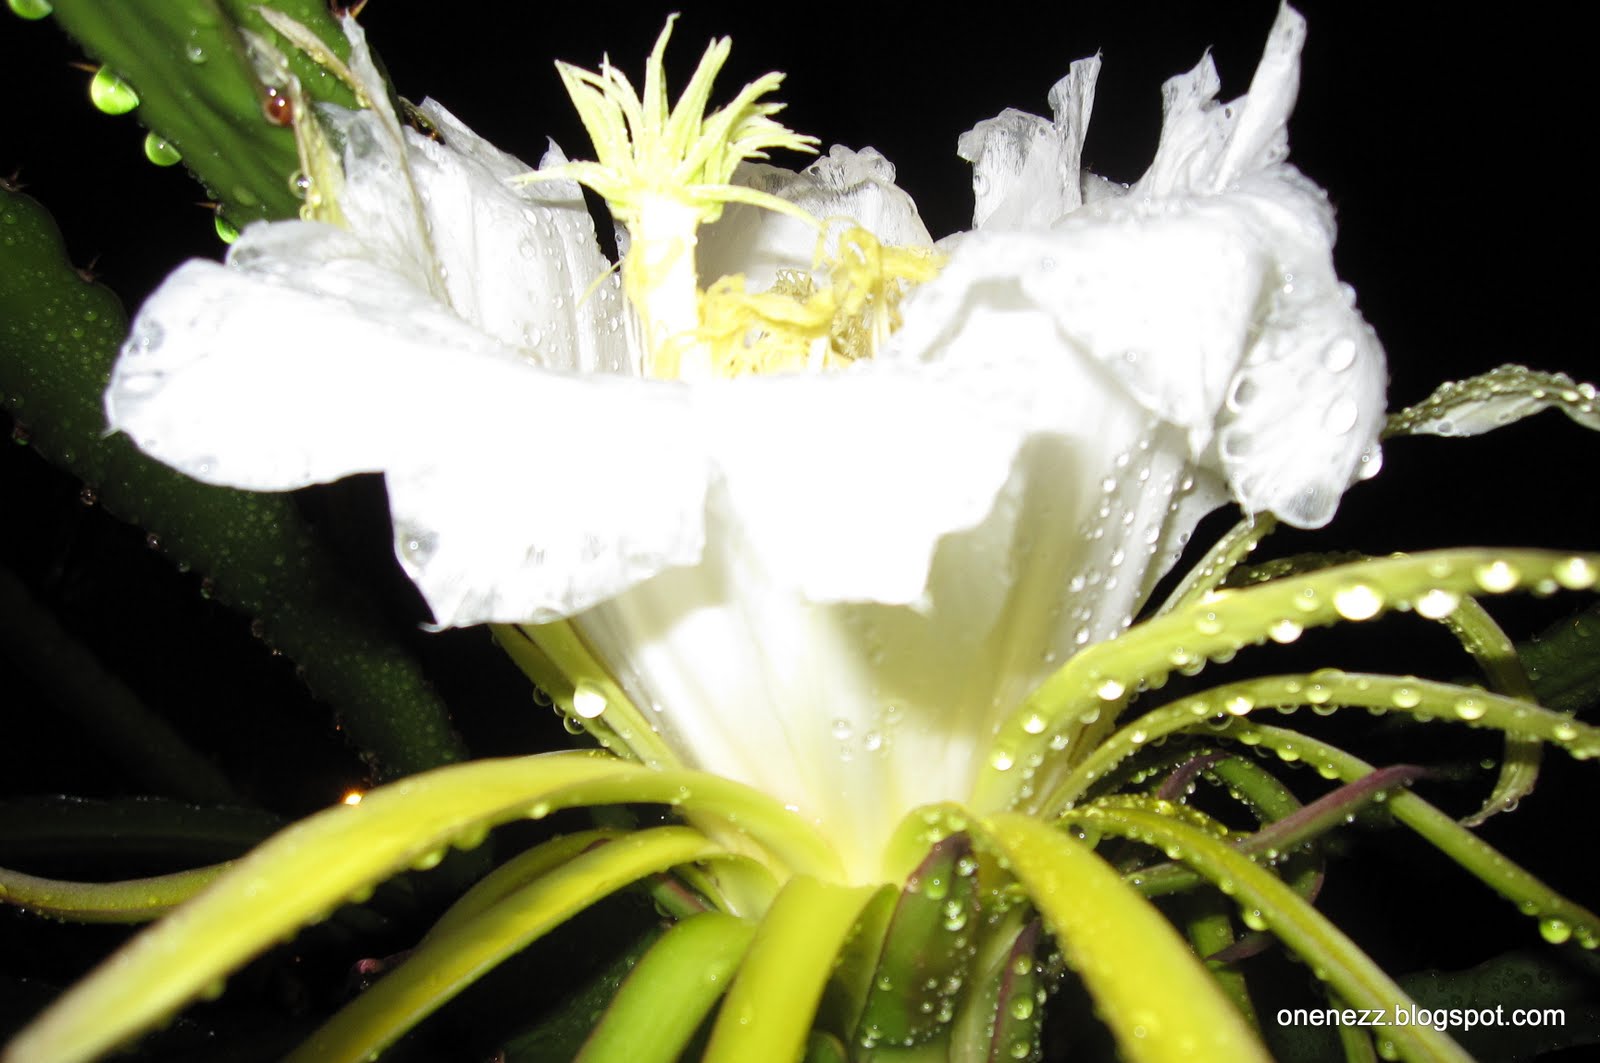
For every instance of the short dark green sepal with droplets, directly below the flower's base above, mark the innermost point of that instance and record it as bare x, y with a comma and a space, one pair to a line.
927, 950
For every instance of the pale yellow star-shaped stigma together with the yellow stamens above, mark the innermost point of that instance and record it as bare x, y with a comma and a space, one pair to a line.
666, 172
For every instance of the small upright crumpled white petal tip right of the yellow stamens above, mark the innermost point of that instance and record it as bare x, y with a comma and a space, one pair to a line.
1028, 172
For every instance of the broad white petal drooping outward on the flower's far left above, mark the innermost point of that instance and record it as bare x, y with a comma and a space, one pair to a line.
518, 492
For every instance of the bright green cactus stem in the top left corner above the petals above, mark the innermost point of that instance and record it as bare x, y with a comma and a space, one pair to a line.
199, 90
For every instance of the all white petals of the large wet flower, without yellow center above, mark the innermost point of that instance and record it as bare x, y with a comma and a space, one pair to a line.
830, 587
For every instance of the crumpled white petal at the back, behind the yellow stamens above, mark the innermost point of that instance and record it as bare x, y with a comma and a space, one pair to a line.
844, 185
